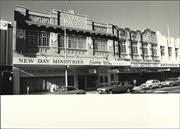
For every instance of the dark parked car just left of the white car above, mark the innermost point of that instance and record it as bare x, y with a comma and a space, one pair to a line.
116, 88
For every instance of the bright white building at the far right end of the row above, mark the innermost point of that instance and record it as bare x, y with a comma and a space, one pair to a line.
169, 55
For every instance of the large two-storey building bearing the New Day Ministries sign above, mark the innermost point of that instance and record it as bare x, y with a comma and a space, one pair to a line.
40, 54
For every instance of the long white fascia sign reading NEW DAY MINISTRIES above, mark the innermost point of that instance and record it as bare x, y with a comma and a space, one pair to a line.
68, 61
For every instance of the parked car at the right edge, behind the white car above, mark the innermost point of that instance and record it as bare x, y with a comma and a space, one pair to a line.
171, 82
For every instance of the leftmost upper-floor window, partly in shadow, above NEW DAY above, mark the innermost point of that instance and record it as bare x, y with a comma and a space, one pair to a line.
37, 38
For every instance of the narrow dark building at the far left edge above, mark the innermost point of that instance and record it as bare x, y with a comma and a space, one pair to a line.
6, 71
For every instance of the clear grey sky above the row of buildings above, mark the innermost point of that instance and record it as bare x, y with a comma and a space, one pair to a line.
136, 15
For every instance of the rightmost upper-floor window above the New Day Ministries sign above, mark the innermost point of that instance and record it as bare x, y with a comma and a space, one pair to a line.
100, 45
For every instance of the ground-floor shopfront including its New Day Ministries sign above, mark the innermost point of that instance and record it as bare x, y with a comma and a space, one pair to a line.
40, 73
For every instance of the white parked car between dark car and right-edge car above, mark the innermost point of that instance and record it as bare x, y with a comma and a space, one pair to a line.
151, 84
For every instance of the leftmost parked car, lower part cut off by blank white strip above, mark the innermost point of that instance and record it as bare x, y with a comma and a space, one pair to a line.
66, 90
